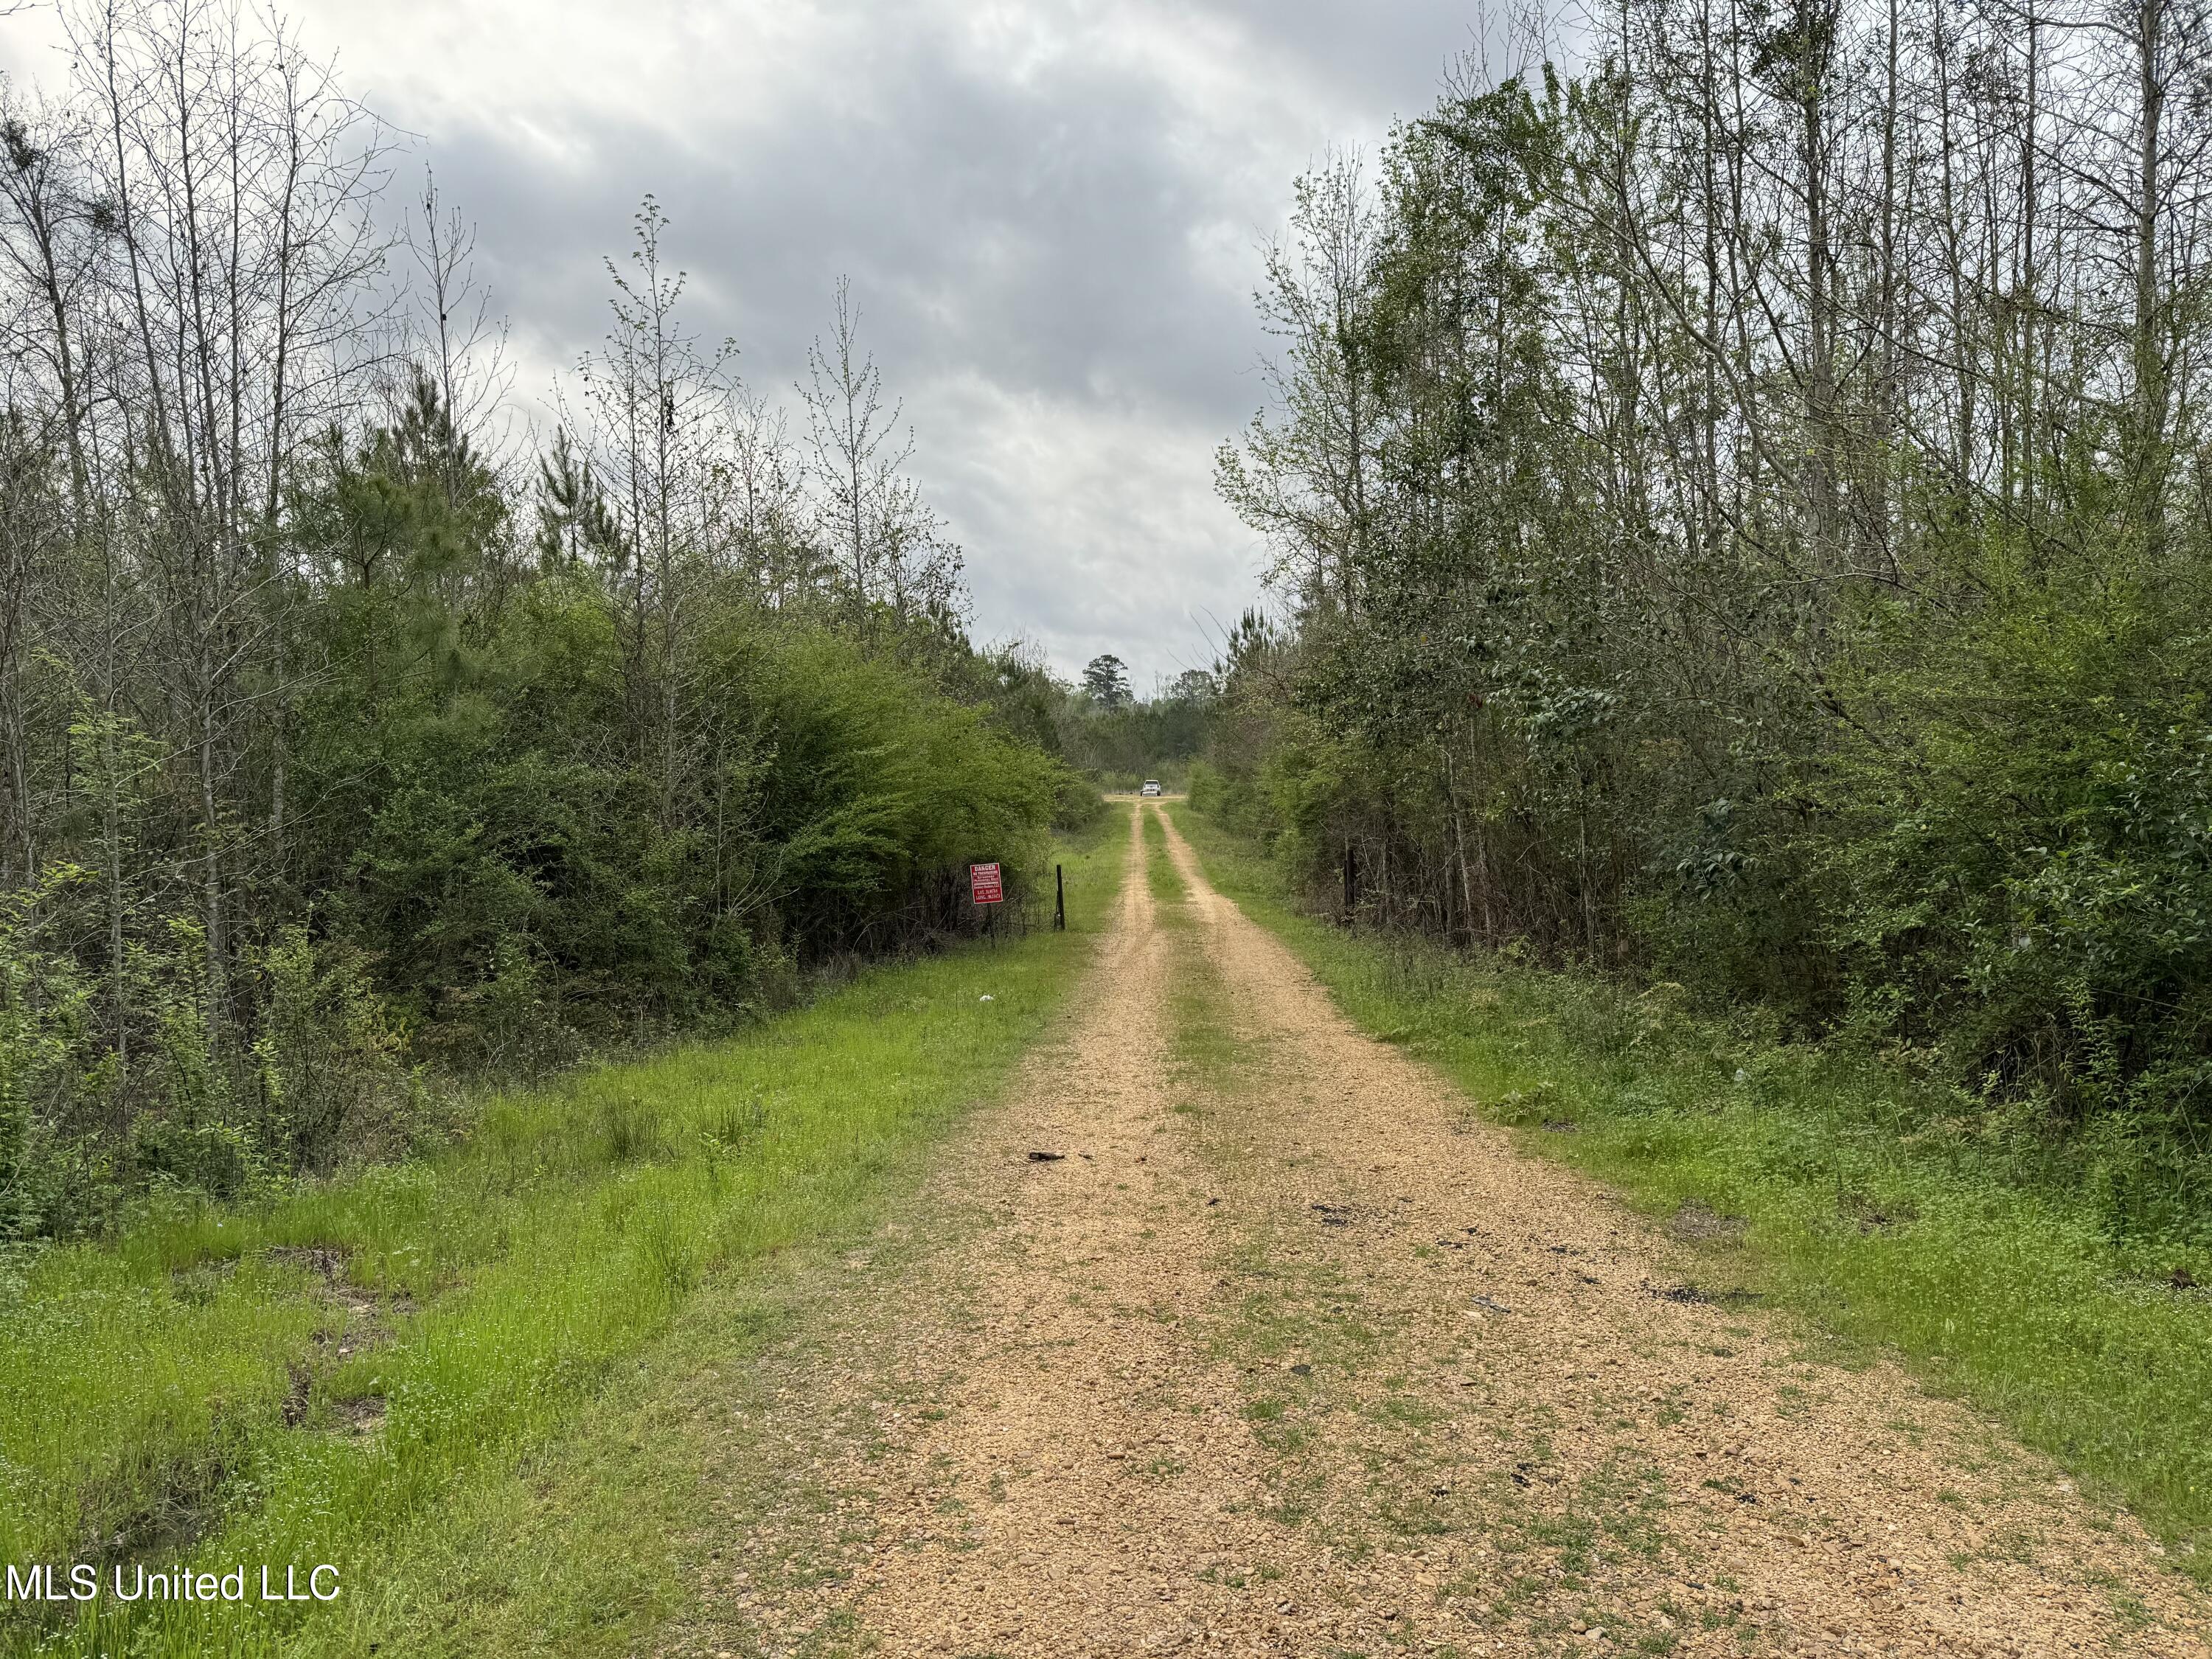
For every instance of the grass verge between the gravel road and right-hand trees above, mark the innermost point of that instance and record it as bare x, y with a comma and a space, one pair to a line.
1861, 1207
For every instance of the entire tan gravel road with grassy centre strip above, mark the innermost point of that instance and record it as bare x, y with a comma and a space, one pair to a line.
1282, 1353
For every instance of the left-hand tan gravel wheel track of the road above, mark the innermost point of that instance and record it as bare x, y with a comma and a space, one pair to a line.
1094, 1450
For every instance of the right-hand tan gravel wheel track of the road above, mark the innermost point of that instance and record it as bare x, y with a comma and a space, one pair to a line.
1848, 1510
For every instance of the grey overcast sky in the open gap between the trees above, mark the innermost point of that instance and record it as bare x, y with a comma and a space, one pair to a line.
1052, 218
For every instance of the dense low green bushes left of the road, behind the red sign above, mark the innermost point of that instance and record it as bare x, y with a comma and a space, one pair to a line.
497, 881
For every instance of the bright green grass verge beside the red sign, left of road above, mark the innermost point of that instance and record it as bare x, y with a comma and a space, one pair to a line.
362, 1373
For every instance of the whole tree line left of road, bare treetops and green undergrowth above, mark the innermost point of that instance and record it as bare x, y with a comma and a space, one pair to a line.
351, 740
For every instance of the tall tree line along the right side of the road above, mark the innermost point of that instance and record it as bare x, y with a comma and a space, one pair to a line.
1740, 510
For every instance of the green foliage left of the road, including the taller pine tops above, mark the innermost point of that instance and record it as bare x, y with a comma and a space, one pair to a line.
503, 822
